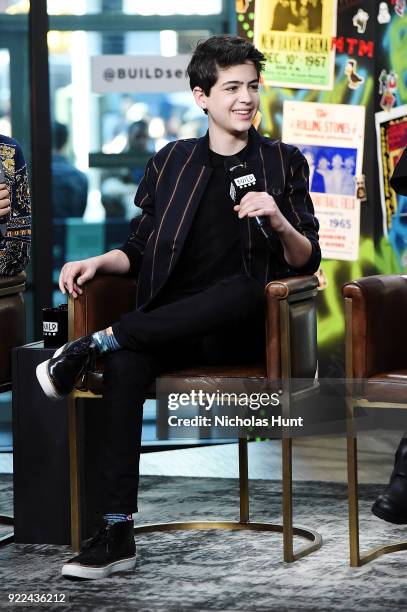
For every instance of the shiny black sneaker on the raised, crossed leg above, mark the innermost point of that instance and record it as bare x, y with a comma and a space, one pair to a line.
58, 375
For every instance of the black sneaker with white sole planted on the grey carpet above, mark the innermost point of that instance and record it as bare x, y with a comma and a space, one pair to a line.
111, 550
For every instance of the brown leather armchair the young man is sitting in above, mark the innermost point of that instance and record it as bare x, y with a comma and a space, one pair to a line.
291, 353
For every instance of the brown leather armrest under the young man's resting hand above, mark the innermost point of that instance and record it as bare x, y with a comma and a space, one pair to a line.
104, 299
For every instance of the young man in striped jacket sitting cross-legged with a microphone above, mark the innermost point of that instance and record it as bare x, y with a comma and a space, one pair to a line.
202, 266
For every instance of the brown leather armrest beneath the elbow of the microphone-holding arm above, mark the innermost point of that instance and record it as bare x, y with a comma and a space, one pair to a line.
294, 299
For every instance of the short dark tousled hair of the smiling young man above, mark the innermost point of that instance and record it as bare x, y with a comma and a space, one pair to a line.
220, 51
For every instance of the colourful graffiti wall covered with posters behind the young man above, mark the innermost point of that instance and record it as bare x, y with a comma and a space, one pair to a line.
367, 52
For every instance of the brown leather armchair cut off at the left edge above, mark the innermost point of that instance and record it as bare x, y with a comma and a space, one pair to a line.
12, 333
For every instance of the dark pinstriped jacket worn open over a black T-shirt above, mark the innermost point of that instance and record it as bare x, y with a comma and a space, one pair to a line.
169, 194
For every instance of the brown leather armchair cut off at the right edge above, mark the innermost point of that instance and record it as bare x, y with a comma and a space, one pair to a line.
376, 368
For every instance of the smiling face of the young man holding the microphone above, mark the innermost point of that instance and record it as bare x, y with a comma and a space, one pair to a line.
232, 102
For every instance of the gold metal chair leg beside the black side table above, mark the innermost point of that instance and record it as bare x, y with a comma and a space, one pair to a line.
74, 474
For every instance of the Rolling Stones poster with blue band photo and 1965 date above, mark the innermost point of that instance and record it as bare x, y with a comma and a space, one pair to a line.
331, 136
